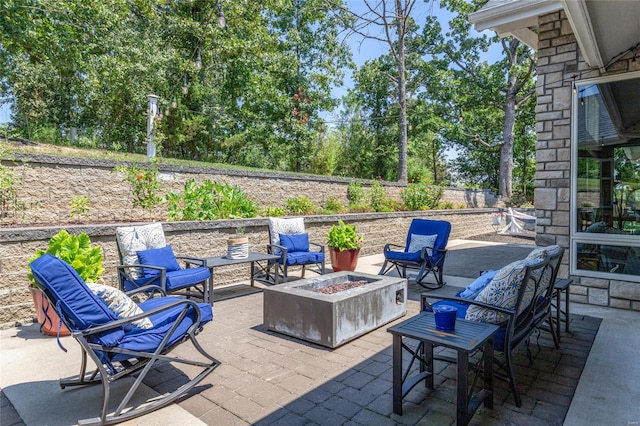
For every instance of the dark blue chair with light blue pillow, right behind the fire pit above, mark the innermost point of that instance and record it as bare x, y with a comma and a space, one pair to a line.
425, 250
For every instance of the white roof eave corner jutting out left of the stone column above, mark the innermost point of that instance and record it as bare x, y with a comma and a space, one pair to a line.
518, 18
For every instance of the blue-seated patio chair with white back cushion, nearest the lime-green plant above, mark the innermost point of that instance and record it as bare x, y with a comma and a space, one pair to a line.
146, 259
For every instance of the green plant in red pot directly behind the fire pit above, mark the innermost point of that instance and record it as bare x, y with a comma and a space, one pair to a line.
344, 246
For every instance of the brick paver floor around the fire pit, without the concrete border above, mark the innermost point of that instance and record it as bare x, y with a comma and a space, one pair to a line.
266, 378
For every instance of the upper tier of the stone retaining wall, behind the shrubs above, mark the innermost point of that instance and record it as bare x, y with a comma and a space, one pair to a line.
50, 183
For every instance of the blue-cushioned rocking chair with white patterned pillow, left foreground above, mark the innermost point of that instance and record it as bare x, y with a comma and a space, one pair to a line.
122, 337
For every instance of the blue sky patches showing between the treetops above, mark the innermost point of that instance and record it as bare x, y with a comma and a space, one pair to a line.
362, 50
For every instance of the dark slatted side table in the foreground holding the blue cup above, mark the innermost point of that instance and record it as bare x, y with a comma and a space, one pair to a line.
466, 338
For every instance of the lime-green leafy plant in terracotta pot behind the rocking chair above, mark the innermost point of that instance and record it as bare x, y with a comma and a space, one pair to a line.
76, 250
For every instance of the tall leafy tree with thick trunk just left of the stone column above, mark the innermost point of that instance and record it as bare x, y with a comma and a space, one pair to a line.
479, 94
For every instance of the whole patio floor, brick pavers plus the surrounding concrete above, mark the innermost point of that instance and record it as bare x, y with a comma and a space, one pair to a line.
267, 378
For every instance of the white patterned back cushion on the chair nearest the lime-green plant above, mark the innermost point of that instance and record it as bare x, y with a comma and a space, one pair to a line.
132, 239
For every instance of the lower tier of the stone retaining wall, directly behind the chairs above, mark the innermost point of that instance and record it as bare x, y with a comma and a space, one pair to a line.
202, 239
